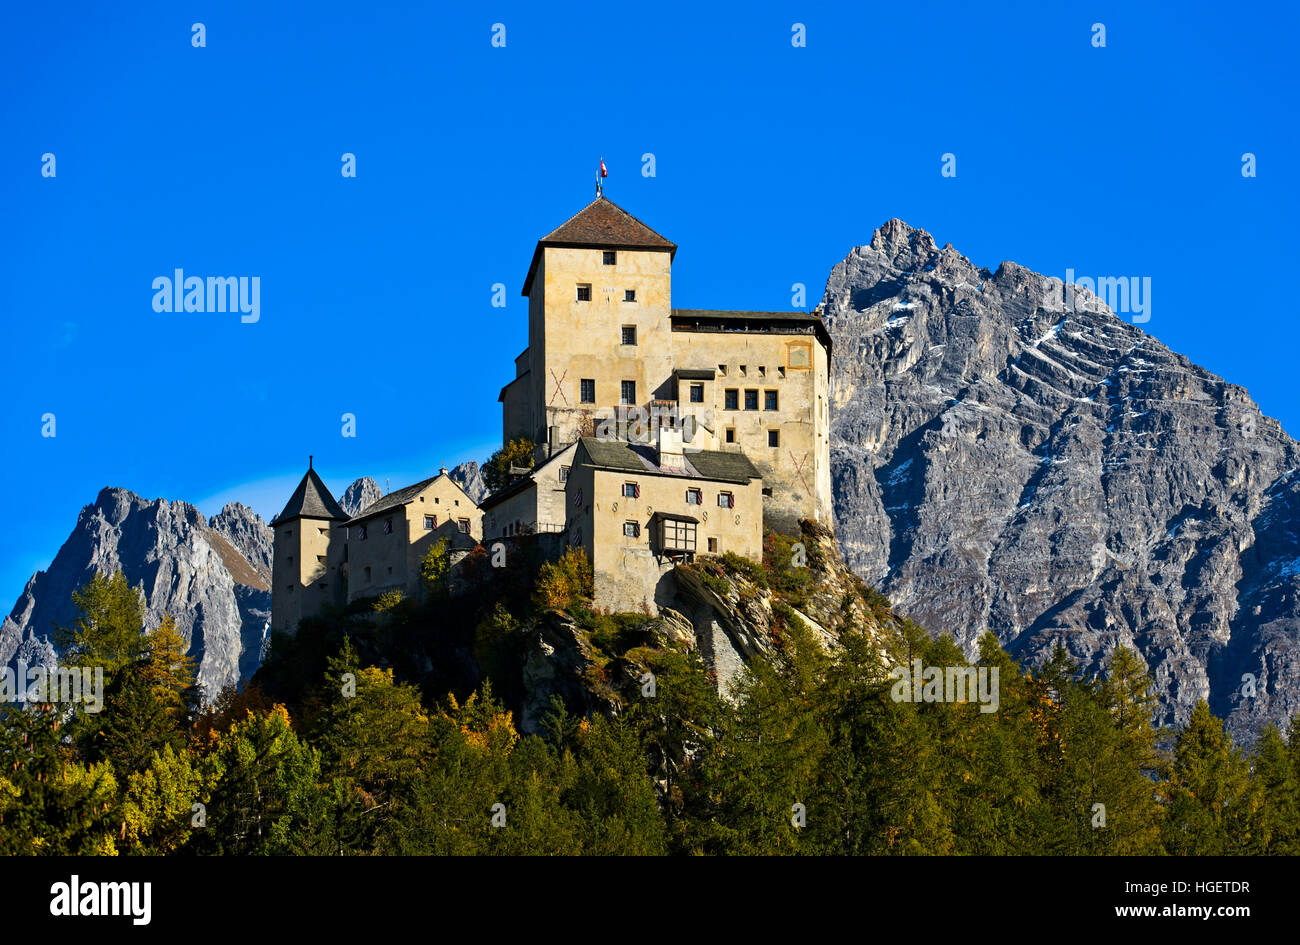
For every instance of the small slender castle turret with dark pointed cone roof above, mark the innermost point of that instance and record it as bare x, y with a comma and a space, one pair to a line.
309, 567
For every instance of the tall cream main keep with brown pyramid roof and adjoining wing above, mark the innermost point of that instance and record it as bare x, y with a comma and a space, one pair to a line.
604, 336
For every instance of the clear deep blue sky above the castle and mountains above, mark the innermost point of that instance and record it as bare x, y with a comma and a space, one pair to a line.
772, 163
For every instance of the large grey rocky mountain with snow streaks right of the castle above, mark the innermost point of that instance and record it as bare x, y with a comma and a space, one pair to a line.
1009, 458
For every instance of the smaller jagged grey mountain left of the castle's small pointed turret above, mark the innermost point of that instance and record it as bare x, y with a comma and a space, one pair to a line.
211, 576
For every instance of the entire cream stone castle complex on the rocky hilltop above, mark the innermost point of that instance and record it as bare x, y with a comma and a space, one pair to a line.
660, 434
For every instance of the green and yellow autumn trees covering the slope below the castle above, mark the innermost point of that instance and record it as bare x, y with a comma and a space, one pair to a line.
811, 751
